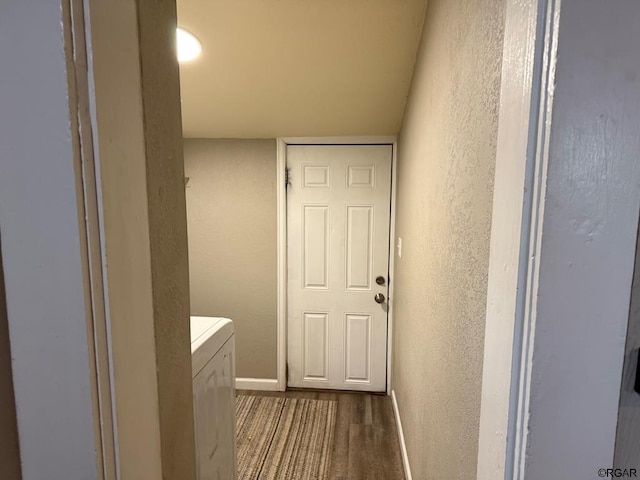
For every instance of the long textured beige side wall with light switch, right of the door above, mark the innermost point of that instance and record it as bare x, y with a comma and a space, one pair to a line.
445, 180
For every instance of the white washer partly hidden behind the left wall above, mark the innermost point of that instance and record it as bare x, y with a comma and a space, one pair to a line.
213, 367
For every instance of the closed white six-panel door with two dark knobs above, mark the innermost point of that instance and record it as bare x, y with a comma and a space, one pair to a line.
338, 211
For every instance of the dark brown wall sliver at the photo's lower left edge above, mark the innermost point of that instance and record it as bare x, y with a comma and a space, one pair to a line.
9, 449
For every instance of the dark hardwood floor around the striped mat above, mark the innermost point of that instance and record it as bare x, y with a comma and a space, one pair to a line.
365, 442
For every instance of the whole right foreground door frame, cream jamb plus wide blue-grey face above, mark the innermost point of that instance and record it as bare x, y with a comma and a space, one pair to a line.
523, 392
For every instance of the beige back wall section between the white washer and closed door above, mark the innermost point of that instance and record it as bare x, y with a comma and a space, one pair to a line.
231, 209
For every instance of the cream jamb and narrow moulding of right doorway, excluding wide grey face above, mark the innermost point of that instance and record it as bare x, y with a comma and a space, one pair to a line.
517, 216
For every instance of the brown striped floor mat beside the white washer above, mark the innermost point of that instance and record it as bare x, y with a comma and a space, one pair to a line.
284, 438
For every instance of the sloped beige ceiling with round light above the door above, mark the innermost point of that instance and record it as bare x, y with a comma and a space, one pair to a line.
298, 67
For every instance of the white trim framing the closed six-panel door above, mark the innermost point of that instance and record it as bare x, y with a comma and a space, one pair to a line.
281, 202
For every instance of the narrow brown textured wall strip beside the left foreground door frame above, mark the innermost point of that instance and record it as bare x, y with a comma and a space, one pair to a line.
167, 235
